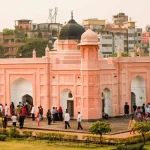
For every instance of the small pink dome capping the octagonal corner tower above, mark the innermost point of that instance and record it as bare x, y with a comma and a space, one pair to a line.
89, 38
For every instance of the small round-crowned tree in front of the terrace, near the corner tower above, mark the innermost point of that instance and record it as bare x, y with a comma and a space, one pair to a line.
100, 128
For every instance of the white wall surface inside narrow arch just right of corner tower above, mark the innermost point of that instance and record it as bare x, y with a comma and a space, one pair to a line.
108, 103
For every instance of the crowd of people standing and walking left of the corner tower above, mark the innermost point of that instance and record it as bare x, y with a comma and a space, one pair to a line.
19, 114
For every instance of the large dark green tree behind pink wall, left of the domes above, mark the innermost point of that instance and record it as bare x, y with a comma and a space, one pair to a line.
26, 50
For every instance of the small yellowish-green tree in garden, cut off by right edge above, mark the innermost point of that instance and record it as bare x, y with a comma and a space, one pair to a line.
142, 128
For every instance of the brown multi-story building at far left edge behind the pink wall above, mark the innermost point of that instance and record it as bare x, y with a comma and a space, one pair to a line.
10, 44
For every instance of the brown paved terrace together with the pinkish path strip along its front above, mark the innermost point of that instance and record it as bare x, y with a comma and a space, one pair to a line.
119, 127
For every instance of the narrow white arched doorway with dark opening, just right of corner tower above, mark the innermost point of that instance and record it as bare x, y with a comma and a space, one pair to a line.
106, 102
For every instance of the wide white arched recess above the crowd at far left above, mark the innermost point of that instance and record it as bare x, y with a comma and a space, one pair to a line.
21, 89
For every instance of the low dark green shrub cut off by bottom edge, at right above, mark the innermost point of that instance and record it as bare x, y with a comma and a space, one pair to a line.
131, 147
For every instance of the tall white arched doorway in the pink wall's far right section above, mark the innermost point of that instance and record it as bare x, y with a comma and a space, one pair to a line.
138, 87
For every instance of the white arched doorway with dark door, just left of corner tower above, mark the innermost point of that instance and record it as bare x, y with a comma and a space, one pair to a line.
67, 102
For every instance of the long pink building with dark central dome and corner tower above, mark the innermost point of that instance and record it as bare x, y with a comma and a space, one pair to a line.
75, 77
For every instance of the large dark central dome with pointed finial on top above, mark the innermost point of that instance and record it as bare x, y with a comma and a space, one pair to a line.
71, 31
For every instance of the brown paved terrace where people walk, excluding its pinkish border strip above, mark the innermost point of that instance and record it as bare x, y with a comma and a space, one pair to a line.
117, 124
